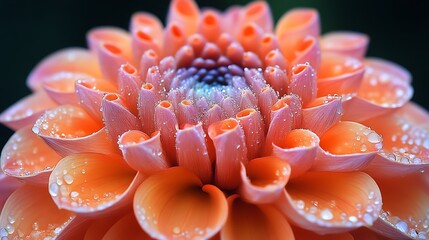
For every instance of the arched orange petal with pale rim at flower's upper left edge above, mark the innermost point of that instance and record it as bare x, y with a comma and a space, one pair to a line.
74, 60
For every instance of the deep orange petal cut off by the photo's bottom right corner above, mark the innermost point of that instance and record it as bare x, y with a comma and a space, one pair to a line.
405, 206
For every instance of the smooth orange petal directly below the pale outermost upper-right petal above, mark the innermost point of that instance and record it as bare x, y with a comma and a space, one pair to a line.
339, 74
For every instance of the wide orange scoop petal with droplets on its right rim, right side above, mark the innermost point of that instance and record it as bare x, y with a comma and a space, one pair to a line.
347, 146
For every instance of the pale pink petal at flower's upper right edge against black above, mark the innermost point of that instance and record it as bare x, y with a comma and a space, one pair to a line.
347, 43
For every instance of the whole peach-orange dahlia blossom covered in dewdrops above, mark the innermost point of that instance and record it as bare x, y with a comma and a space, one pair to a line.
220, 125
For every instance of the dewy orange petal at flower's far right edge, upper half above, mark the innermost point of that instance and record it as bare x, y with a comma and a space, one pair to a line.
385, 87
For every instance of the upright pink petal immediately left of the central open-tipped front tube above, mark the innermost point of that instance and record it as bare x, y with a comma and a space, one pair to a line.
192, 152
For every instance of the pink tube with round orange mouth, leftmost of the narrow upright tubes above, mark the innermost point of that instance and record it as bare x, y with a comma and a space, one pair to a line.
116, 117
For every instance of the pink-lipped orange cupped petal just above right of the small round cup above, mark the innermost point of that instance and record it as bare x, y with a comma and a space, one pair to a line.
298, 148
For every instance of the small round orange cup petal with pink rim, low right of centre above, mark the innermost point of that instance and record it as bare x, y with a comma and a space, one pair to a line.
263, 180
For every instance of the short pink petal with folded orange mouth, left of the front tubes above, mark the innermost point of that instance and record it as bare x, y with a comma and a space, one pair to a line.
143, 153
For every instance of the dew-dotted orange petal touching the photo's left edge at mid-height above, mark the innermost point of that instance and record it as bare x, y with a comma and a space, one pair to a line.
28, 157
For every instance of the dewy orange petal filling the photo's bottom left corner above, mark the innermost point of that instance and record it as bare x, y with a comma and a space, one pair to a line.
30, 213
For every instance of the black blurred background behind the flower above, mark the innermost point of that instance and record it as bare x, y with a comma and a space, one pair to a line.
30, 30
